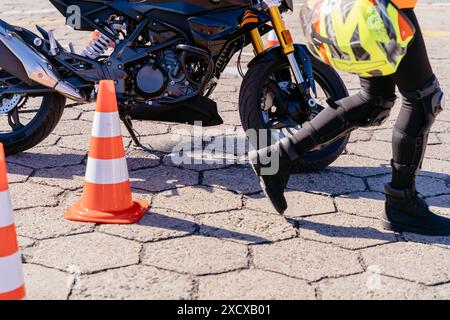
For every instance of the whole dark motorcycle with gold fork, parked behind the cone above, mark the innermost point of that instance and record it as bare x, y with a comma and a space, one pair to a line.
165, 58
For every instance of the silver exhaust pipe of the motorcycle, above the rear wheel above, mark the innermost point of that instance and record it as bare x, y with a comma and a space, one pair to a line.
27, 64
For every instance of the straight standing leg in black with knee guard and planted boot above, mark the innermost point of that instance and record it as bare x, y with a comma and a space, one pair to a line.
422, 102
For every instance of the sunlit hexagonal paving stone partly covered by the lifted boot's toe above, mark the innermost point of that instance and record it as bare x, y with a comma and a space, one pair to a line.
300, 204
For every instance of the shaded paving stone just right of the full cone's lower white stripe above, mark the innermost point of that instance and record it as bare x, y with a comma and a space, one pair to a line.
162, 178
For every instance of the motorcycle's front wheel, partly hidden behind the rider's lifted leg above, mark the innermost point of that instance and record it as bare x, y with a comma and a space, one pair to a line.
260, 108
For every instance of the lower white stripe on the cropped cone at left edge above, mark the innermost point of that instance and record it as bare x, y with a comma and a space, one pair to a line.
11, 275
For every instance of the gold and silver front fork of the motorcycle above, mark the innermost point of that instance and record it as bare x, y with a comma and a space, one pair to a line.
287, 44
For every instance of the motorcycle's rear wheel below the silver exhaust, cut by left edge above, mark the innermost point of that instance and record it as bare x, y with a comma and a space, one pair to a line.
27, 121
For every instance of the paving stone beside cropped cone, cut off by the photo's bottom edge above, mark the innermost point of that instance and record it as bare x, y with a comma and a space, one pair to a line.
46, 284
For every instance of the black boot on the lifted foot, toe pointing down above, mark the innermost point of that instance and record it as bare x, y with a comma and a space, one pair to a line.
273, 166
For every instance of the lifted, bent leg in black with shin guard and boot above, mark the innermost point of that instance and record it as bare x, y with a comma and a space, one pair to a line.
370, 107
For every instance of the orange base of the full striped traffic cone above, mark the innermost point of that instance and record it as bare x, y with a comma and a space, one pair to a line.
80, 213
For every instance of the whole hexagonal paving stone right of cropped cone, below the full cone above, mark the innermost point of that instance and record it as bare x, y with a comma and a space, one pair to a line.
88, 252
